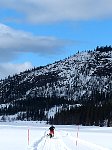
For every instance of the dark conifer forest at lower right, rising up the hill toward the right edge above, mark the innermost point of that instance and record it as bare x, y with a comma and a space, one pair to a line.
96, 110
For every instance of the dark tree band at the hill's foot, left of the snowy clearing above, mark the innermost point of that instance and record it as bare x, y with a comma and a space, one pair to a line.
35, 108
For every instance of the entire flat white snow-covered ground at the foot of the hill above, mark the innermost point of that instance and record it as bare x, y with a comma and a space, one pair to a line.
33, 136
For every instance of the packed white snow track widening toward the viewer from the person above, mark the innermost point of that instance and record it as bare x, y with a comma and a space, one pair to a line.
60, 141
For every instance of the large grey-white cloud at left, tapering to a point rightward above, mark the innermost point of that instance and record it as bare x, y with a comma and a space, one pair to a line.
14, 42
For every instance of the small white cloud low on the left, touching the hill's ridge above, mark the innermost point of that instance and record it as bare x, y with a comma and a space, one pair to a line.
11, 69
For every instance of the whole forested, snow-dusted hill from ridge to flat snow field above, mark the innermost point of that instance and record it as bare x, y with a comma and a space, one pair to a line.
85, 78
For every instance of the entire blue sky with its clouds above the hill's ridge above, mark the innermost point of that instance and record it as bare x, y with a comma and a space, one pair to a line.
39, 32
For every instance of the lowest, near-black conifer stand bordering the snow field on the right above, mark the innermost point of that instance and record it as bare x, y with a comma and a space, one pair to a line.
86, 115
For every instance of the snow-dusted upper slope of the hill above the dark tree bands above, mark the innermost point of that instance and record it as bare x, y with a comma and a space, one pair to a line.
76, 78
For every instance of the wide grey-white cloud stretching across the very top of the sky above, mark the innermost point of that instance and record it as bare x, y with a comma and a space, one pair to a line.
42, 11
